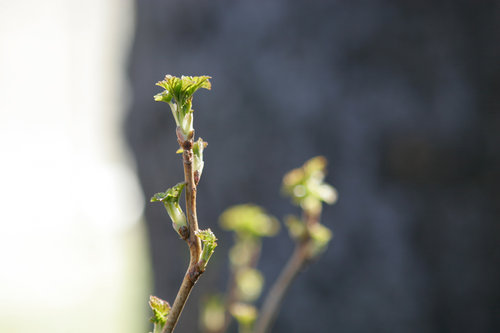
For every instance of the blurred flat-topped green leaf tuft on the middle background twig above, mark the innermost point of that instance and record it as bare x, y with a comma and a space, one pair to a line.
249, 220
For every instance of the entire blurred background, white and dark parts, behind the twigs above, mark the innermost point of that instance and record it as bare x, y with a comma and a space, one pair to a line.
402, 97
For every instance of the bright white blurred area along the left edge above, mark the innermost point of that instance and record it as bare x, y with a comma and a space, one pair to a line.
72, 252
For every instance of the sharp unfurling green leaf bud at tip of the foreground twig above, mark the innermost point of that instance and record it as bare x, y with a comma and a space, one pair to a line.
178, 94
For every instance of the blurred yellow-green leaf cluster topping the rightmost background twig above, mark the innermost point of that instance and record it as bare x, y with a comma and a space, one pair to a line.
306, 185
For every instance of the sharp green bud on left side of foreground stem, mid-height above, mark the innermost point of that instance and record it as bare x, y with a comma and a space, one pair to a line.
170, 199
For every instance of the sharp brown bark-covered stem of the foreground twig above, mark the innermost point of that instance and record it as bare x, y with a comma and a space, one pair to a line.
193, 272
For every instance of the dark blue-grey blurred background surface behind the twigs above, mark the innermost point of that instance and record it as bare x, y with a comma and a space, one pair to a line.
402, 97
